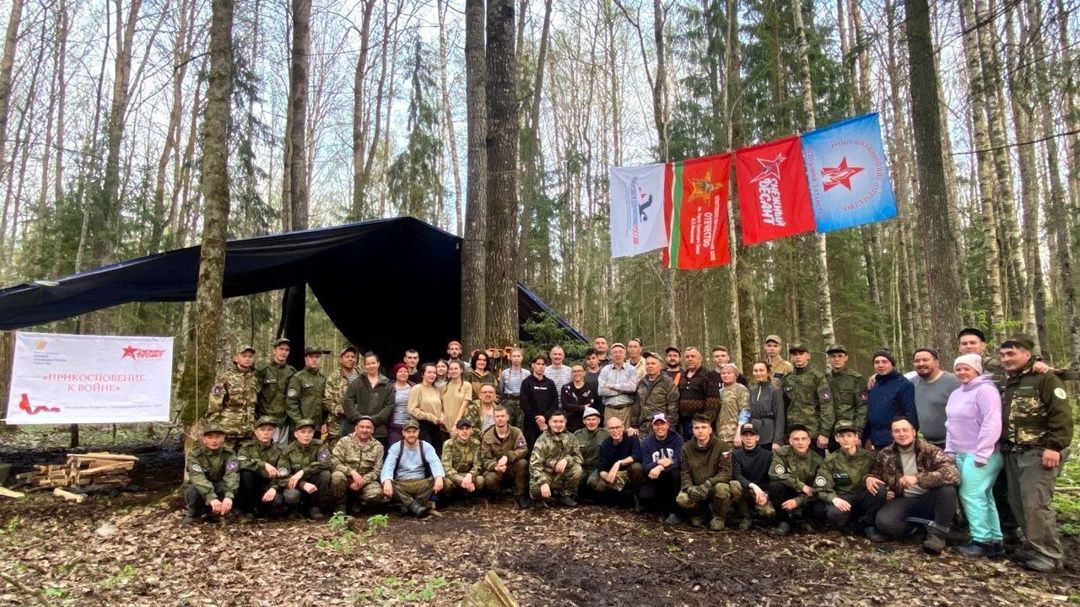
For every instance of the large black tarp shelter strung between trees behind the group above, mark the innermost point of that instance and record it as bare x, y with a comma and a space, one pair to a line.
387, 285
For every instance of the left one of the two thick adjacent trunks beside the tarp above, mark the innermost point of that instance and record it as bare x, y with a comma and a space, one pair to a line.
474, 268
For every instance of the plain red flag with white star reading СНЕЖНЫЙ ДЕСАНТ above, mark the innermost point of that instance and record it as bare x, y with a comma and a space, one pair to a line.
774, 201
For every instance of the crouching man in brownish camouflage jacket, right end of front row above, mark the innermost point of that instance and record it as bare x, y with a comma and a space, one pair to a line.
920, 482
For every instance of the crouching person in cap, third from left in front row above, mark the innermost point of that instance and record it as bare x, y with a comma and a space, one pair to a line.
308, 465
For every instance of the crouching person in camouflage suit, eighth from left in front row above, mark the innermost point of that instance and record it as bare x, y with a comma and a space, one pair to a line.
556, 464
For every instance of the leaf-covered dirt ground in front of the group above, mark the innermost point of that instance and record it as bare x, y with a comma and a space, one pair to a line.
129, 549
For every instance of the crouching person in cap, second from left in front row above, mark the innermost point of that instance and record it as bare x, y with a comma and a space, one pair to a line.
260, 473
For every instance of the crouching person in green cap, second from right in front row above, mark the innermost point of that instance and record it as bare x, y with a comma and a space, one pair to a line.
843, 501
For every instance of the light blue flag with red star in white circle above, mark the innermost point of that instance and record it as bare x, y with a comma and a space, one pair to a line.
848, 174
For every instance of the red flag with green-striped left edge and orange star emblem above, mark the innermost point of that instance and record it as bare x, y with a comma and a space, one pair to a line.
698, 213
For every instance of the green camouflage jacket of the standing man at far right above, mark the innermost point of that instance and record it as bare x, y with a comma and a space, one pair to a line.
1037, 412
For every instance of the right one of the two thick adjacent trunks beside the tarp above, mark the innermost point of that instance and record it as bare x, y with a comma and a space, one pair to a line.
503, 205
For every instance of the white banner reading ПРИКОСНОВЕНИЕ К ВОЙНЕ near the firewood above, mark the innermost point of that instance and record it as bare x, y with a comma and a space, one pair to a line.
90, 380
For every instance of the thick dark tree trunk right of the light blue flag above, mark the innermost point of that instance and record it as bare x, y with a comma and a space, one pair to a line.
939, 247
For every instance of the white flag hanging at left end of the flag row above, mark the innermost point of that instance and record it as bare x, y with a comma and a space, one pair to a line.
638, 209
